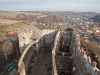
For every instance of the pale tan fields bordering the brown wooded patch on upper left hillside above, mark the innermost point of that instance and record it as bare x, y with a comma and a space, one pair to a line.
7, 18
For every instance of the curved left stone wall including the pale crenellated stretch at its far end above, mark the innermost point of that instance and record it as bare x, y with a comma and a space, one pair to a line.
26, 56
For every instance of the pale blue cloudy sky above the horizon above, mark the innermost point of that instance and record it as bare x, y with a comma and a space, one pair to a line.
51, 5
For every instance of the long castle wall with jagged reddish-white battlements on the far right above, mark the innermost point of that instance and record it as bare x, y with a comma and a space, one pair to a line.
82, 61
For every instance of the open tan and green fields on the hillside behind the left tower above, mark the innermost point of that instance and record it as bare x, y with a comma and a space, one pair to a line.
10, 21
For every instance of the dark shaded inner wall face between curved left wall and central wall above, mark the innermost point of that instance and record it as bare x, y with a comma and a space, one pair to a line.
46, 42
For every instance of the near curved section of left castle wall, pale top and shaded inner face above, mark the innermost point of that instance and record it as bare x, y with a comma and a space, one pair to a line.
25, 59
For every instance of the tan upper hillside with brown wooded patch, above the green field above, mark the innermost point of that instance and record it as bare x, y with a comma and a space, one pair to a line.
20, 16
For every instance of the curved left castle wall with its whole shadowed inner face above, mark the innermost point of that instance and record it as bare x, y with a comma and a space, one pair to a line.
32, 50
